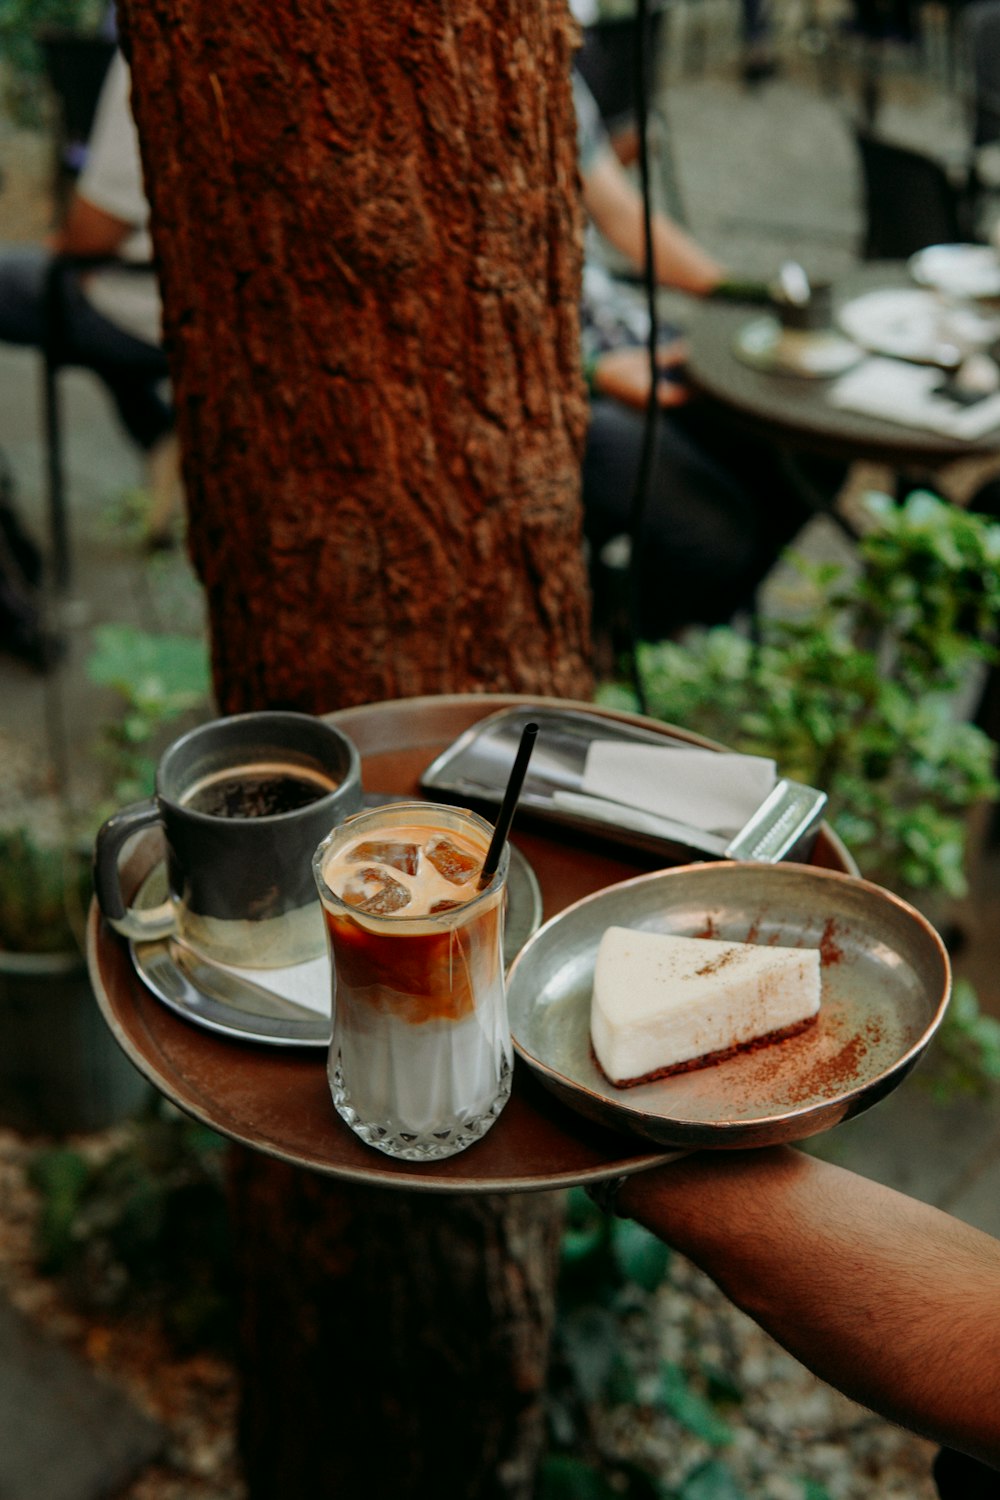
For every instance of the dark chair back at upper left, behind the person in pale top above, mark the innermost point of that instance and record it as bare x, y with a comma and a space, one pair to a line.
76, 68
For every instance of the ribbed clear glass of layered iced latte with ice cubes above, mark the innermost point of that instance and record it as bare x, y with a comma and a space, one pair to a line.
421, 1055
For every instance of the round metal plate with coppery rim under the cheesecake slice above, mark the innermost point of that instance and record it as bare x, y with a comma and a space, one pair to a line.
885, 979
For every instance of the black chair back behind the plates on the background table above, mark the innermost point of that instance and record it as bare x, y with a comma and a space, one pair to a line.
911, 200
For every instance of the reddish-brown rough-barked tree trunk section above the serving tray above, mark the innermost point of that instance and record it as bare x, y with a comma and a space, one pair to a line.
368, 233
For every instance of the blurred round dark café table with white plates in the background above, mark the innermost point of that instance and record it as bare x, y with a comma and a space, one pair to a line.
795, 412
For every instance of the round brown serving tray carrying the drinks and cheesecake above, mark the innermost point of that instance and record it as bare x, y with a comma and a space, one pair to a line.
278, 1100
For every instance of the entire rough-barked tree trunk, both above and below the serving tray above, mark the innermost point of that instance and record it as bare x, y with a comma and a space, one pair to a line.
368, 233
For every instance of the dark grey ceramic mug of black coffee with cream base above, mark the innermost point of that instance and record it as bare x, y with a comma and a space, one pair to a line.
242, 803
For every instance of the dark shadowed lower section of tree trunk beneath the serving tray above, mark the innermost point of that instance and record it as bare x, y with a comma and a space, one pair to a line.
412, 1331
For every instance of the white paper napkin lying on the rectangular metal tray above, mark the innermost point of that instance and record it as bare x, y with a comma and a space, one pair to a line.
713, 791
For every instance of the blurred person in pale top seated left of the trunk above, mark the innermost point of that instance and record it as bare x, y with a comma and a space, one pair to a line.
109, 317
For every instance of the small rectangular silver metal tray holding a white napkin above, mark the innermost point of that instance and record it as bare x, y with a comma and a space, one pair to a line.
478, 766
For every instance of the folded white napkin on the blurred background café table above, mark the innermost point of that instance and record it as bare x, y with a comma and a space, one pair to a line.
900, 392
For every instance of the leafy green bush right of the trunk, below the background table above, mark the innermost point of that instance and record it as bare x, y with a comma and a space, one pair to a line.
860, 698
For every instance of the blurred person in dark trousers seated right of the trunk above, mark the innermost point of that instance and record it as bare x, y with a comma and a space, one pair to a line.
722, 505
